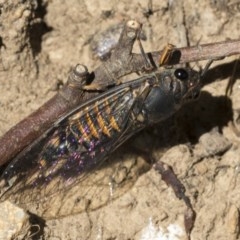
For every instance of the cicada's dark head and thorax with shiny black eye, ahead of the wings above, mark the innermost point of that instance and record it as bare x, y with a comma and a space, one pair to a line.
173, 88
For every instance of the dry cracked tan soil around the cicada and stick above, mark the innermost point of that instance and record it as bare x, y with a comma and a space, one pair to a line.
39, 43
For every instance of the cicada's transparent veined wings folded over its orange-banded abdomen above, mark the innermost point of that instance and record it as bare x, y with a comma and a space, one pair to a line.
62, 172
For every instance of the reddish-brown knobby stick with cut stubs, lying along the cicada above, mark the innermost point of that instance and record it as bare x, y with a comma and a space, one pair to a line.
120, 63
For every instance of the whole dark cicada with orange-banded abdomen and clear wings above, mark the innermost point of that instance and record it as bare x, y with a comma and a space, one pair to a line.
54, 167
